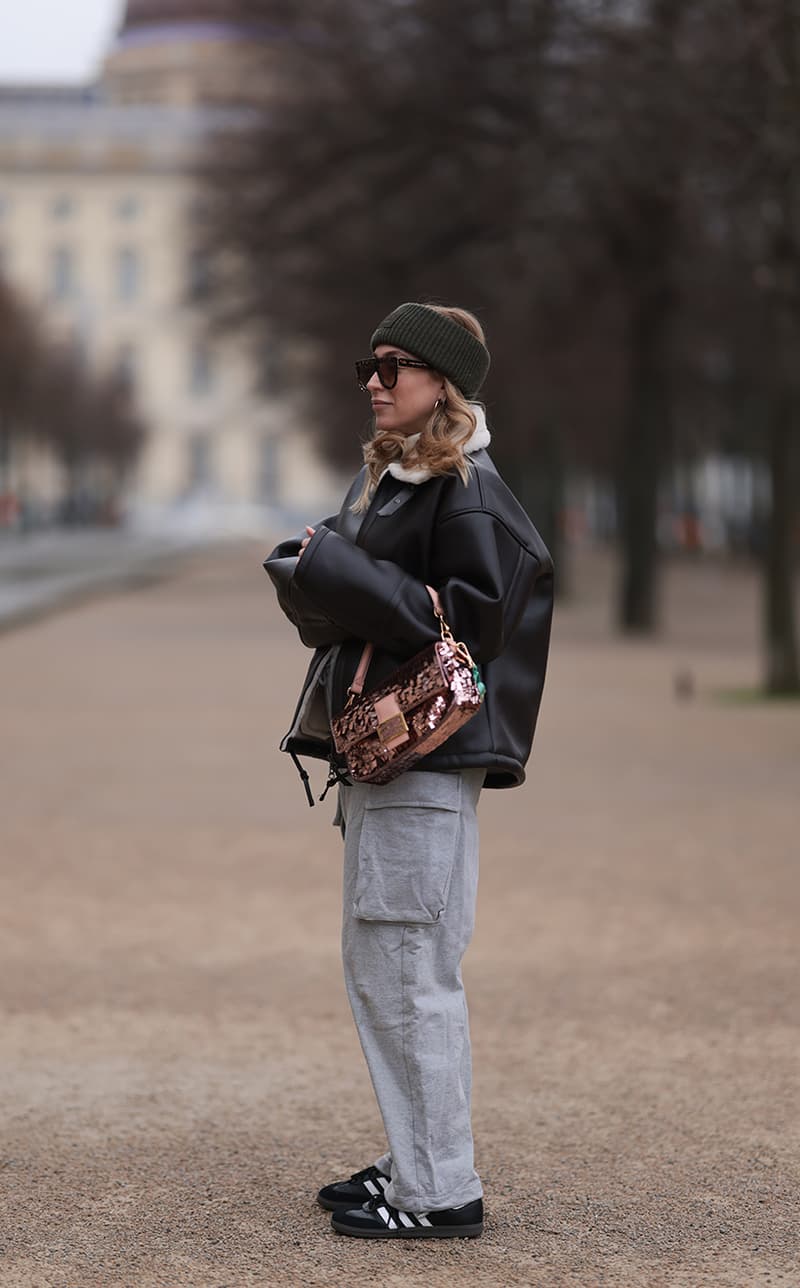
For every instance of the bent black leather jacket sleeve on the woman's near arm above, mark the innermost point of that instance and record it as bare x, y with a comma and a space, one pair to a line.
484, 574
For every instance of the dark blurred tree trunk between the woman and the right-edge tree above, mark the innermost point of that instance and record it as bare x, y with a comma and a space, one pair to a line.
643, 439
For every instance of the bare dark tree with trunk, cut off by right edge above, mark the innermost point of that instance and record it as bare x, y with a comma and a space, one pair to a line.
745, 56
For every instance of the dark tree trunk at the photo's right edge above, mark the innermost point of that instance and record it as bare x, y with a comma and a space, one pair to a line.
780, 618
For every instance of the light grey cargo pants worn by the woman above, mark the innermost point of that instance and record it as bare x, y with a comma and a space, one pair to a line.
410, 885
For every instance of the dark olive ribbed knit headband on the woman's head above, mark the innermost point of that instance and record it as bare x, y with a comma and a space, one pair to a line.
445, 345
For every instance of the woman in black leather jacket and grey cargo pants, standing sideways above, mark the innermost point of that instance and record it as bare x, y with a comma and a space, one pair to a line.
427, 508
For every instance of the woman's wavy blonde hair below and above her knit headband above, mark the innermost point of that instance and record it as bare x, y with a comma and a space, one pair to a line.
440, 449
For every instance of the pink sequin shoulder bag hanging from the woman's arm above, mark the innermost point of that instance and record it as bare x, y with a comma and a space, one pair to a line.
385, 732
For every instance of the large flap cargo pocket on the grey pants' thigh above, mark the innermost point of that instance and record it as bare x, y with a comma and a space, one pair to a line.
408, 849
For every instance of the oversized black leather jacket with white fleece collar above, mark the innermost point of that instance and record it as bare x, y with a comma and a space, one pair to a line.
363, 578
